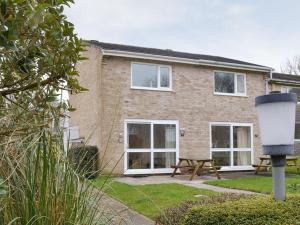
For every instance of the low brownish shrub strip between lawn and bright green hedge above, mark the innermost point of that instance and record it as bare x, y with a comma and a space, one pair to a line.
173, 215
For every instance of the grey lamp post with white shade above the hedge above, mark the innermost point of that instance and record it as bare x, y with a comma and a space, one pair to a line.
276, 116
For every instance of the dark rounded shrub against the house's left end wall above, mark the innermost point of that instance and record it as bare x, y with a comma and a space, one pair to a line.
84, 158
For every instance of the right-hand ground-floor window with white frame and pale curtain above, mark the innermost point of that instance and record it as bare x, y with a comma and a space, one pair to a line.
231, 145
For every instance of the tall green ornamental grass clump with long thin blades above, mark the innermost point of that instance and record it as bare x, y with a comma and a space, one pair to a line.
40, 187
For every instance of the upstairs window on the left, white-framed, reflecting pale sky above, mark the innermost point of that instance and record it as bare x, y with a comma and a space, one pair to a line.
151, 76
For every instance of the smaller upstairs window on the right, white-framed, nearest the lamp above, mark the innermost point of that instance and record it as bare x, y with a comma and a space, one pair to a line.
229, 83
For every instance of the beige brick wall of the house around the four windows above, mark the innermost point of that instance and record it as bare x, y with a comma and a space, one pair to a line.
192, 102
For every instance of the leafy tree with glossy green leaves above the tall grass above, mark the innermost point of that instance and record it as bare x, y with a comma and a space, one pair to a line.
38, 54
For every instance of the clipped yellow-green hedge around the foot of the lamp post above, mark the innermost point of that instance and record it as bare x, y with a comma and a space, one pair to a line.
252, 211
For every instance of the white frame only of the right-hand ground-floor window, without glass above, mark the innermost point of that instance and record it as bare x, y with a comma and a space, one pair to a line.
231, 149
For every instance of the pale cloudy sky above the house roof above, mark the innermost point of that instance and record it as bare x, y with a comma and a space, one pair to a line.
265, 32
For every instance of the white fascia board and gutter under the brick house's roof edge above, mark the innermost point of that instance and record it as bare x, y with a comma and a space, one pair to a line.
184, 60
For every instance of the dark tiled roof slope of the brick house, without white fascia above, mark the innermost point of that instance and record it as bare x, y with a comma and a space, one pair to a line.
171, 53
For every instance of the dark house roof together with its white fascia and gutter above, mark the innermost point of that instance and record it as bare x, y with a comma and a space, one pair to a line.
174, 56
